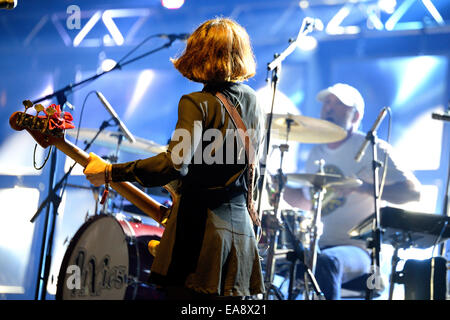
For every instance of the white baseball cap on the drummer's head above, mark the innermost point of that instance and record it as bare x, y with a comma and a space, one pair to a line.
346, 94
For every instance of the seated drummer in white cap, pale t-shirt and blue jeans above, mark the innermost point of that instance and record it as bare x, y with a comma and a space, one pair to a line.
342, 259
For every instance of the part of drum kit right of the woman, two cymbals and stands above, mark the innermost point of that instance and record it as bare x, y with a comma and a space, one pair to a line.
292, 235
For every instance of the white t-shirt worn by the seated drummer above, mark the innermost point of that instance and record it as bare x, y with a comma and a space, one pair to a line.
340, 214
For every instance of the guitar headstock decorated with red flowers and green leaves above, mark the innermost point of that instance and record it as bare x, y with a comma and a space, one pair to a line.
46, 128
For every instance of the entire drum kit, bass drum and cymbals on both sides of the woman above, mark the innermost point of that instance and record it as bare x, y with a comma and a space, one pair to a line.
108, 257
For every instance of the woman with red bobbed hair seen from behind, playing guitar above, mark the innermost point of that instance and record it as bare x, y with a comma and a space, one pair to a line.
208, 249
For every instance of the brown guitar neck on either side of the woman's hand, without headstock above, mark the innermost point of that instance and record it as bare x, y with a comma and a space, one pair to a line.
140, 199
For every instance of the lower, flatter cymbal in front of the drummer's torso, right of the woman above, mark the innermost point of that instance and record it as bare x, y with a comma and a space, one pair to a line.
325, 180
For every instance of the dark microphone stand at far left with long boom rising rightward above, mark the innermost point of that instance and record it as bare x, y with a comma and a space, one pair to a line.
53, 198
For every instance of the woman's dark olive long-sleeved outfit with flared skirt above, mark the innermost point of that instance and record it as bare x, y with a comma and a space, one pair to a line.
209, 243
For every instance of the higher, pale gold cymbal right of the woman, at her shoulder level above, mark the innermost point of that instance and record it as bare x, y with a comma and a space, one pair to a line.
306, 129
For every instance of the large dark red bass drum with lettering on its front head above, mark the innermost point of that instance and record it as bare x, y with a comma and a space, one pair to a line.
108, 259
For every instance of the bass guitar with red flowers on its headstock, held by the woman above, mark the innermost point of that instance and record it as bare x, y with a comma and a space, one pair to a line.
38, 127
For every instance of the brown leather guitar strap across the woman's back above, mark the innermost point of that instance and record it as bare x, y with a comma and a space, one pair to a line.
249, 152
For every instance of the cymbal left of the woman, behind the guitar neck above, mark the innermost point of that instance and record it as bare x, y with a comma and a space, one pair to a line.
109, 139
